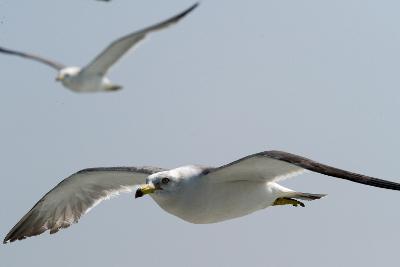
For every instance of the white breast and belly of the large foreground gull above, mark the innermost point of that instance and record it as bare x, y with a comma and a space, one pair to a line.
203, 202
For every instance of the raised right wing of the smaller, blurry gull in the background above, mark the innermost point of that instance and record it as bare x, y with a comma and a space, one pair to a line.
118, 48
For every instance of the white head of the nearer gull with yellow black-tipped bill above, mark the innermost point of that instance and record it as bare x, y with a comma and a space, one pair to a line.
168, 182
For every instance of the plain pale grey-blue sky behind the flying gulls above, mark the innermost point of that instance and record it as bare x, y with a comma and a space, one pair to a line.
315, 78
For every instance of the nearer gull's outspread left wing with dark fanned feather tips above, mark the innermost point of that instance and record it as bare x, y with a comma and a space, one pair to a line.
75, 196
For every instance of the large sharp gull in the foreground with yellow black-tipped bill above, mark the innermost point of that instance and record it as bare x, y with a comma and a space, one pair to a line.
195, 194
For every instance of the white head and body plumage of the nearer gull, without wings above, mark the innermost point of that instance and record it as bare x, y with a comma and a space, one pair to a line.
196, 200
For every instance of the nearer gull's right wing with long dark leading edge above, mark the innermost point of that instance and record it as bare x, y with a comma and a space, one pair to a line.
273, 165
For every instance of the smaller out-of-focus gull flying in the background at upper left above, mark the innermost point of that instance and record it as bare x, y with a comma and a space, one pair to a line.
91, 78
